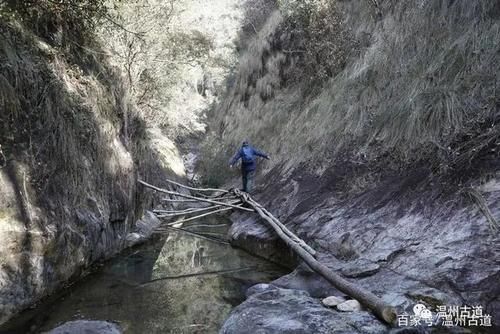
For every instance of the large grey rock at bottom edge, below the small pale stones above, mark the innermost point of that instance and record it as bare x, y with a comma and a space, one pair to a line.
277, 311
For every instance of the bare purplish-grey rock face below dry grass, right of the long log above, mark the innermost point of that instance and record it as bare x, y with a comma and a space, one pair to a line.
405, 241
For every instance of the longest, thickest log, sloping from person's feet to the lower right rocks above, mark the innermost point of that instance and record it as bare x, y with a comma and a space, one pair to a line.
381, 309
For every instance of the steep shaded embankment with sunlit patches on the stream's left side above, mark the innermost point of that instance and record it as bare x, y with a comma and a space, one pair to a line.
74, 147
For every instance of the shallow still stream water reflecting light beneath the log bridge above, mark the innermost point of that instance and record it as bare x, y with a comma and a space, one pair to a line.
123, 290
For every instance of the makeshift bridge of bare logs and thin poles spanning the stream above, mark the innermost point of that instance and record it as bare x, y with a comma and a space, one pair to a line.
221, 200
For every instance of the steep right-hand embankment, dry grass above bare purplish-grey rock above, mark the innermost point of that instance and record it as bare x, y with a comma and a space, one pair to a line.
382, 121
